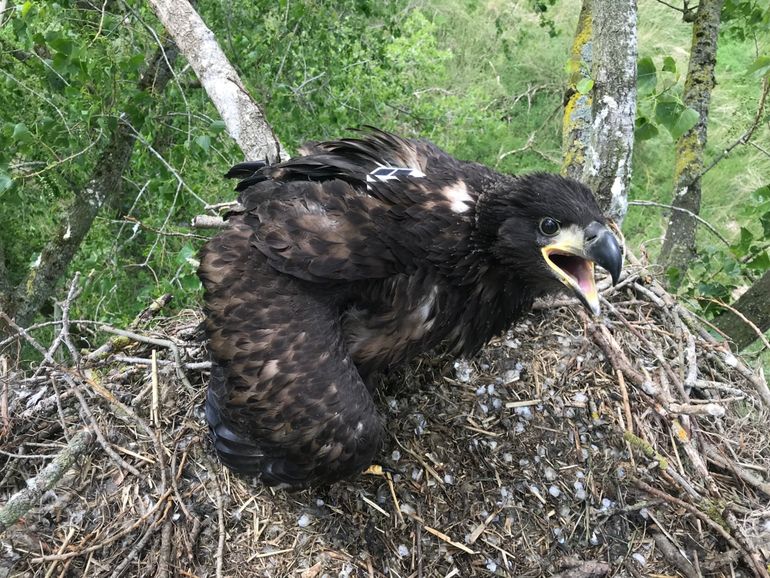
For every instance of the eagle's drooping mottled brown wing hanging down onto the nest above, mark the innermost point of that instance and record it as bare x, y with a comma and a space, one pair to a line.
285, 401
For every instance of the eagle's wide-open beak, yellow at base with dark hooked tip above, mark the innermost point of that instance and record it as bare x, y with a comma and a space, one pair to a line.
572, 256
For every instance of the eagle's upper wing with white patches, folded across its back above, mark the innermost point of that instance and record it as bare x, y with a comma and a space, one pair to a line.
359, 209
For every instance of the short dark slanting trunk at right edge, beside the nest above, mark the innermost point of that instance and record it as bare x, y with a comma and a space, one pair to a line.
754, 306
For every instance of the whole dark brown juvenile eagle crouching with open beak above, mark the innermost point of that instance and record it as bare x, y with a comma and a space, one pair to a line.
355, 257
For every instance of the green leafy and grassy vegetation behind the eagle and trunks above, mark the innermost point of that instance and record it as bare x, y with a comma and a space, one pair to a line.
484, 79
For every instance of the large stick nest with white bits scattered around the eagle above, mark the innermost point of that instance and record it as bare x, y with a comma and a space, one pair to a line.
630, 445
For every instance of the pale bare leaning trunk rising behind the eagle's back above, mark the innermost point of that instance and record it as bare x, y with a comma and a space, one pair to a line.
243, 117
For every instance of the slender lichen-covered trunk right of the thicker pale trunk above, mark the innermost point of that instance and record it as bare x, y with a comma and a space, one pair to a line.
679, 243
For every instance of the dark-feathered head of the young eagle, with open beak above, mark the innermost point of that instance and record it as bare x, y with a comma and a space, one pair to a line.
549, 231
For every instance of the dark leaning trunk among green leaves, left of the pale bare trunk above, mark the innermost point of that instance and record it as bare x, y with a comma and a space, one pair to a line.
104, 187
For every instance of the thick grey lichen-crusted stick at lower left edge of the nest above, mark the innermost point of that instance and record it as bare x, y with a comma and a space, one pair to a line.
21, 502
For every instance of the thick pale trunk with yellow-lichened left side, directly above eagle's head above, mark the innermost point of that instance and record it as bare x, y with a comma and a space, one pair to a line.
599, 128
